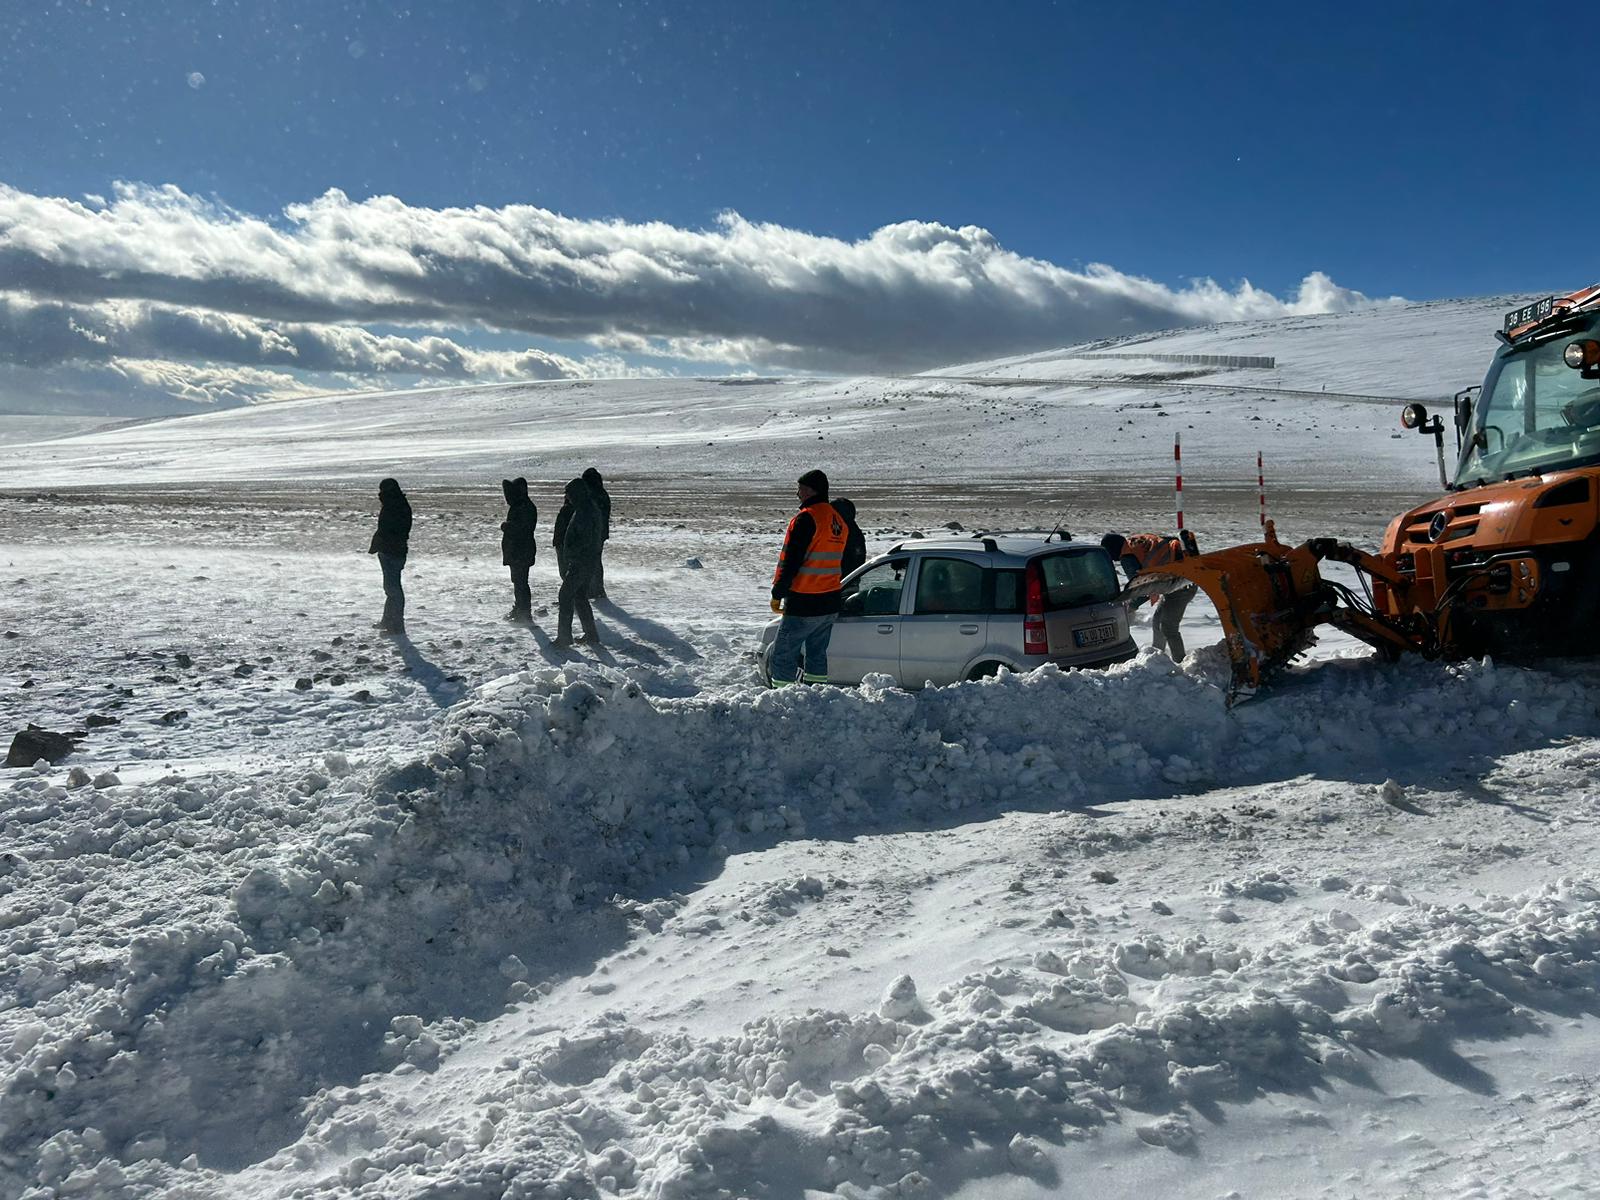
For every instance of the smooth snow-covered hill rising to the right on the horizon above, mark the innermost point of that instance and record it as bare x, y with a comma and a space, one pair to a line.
865, 430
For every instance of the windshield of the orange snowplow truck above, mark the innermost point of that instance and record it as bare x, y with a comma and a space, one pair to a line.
1537, 415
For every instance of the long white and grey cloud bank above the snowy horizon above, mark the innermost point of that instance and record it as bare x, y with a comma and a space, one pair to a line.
183, 297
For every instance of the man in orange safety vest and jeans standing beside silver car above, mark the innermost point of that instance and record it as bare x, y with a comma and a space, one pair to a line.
806, 585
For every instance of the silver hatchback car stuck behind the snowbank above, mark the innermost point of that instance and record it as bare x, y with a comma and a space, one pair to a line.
942, 610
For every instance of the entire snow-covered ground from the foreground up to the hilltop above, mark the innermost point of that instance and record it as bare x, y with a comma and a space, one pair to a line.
463, 916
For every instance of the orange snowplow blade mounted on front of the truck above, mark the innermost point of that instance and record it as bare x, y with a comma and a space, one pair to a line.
1270, 598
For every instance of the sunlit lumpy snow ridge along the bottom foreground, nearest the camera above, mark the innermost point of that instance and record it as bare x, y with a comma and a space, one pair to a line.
870, 1105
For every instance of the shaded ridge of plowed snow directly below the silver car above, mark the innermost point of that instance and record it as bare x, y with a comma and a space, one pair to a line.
447, 886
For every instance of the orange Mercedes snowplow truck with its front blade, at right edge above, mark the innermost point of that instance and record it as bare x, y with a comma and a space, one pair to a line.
1506, 562
